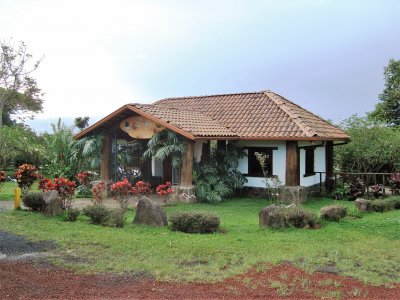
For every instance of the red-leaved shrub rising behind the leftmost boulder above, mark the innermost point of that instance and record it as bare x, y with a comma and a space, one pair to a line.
64, 187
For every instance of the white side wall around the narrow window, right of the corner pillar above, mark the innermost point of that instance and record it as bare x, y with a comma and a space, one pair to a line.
319, 164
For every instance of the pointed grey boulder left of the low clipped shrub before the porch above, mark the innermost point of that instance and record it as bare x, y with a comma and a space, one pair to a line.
150, 213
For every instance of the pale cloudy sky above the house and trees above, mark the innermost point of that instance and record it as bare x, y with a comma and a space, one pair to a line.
327, 56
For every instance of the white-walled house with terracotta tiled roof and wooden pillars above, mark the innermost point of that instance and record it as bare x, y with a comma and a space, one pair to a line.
299, 144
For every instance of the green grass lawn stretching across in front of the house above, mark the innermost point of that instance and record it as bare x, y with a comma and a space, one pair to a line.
366, 248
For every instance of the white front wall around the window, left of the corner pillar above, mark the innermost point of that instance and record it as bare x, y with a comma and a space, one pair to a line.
278, 161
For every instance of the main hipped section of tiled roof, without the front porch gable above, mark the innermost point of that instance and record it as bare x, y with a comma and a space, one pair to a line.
261, 115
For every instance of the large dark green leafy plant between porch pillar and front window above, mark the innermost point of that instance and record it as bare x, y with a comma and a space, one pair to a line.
219, 178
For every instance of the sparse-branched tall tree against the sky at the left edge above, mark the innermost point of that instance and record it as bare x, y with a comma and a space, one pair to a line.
18, 89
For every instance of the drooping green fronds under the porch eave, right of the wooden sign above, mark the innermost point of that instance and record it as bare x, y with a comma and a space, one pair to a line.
164, 144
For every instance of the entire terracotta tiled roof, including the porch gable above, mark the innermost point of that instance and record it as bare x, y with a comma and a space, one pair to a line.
260, 116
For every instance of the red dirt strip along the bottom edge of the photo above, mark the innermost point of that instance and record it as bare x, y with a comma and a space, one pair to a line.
30, 281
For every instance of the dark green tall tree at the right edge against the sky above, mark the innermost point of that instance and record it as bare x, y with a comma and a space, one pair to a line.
388, 109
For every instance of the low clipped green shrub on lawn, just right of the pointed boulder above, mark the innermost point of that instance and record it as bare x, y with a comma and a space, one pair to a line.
195, 222
